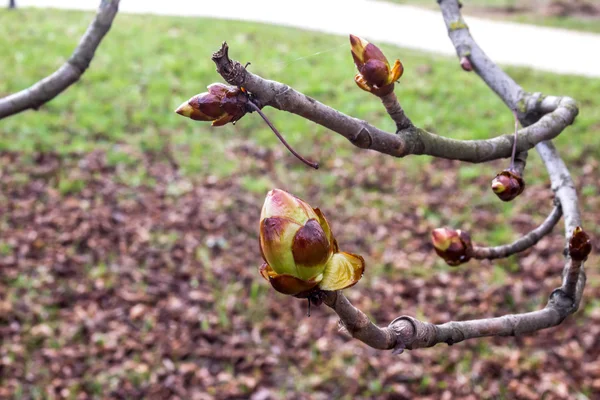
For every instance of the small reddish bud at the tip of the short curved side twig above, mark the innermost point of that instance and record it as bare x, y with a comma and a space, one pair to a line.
454, 246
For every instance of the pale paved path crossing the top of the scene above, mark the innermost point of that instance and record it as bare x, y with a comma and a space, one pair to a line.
549, 49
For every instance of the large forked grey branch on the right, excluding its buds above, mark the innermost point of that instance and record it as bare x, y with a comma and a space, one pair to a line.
543, 118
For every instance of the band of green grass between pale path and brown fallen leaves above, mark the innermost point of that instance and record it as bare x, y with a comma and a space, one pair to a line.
148, 65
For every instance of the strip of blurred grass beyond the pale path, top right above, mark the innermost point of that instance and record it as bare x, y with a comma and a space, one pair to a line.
502, 9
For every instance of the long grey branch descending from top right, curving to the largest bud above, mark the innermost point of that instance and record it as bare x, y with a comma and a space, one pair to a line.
533, 108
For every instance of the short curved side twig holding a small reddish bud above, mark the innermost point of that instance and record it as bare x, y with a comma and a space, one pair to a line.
521, 244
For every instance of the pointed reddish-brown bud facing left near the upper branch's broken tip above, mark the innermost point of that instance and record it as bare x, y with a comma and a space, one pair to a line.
221, 104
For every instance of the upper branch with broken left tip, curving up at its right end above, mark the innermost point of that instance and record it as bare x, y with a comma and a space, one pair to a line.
410, 140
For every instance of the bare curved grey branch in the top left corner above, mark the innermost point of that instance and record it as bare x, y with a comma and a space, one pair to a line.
70, 72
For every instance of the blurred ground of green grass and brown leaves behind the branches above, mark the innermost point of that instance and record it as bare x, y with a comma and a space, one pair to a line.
128, 235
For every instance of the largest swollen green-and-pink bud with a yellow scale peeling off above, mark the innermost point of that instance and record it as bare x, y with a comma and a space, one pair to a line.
300, 251
